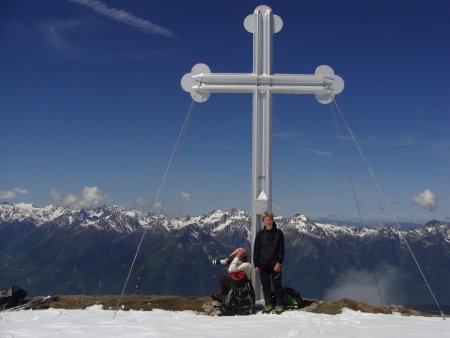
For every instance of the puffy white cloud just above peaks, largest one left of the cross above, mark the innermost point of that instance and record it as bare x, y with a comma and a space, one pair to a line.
90, 197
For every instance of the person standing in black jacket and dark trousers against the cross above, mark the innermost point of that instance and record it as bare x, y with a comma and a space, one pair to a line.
268, 257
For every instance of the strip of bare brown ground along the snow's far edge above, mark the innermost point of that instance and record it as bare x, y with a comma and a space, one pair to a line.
203, 304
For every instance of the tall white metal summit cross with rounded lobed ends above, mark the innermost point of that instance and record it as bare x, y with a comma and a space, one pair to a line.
262, 84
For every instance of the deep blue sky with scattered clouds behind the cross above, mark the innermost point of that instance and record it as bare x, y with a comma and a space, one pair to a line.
91, 106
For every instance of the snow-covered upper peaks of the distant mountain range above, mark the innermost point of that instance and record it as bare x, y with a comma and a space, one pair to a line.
122, 220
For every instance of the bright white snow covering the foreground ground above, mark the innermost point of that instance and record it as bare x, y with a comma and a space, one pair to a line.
96, 322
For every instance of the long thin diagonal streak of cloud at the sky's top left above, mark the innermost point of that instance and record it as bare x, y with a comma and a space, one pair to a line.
124, 17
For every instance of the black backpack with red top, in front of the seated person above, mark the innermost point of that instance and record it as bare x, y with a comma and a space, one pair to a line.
240, 300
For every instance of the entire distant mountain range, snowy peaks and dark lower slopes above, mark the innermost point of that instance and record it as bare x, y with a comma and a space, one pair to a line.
55, 249
